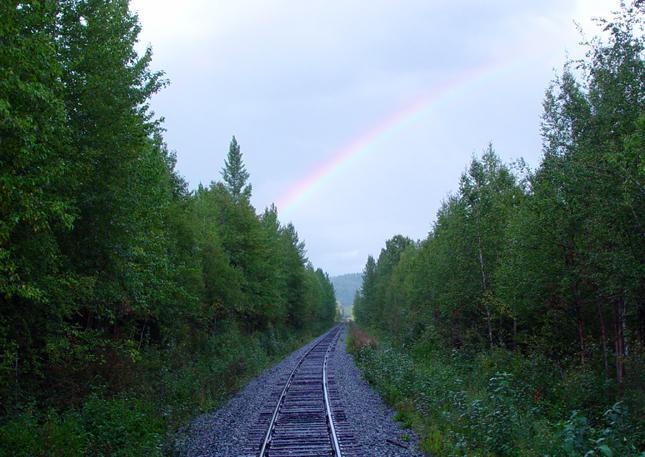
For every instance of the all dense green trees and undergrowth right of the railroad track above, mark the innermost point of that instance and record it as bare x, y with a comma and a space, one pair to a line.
517, 327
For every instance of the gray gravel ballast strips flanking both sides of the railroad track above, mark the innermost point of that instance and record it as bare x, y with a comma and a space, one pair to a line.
223, 433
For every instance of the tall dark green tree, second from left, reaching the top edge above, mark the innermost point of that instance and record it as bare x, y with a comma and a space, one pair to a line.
120, 183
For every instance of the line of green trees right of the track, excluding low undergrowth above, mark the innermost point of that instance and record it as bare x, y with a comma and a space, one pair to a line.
548, 261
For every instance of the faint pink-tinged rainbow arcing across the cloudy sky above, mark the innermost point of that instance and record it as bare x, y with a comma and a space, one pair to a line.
345, 157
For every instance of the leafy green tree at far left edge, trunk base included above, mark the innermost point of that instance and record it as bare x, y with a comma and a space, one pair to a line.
34, 161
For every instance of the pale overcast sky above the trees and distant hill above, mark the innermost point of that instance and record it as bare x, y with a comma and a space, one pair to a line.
298, 81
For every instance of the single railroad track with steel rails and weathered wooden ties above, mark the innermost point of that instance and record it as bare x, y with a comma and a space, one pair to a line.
304, 417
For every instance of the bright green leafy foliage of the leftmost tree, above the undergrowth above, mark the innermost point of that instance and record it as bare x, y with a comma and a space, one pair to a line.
34, 151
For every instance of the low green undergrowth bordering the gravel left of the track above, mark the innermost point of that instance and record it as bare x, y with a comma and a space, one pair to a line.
173, 388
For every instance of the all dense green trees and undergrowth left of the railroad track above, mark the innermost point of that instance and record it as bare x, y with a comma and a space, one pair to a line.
127, 303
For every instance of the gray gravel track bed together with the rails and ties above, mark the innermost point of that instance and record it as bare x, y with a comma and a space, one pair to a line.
313, 403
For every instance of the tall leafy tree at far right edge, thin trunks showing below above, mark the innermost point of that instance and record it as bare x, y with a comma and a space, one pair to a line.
591, 185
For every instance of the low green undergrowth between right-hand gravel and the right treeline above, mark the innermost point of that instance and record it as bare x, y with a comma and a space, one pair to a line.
501, 403
